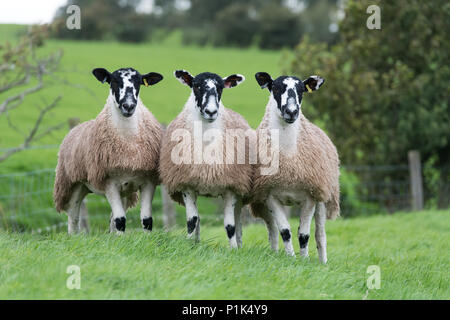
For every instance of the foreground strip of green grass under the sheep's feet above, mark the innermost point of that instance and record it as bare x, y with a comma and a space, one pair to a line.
411, 250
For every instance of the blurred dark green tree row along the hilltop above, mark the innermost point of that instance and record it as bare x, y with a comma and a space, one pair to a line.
270, 24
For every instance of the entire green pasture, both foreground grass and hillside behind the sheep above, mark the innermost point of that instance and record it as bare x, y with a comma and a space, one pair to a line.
411, 249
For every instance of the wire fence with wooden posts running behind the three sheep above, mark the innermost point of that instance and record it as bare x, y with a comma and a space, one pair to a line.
26, 203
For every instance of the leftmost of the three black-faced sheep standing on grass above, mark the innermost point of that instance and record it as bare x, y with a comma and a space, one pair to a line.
115, 155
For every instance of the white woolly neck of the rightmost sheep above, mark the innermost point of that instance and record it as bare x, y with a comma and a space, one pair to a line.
288, 133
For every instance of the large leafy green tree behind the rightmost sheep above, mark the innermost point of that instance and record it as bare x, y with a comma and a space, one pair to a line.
386, 91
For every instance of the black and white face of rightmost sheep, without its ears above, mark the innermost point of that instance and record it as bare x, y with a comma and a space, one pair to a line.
287, 92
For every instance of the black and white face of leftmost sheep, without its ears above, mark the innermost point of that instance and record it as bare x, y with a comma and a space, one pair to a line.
125, 84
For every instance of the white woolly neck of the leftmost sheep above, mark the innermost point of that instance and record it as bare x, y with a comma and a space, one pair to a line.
125, 127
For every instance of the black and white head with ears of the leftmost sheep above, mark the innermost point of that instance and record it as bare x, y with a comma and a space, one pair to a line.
125, 84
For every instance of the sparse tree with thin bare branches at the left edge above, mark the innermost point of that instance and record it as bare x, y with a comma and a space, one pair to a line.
22, 74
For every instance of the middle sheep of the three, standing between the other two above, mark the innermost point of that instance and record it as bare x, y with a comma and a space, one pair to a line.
205, 119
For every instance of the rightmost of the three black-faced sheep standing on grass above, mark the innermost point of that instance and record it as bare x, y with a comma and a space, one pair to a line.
308, 172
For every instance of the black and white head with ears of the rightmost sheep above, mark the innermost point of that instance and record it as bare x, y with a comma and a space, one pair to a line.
288, 91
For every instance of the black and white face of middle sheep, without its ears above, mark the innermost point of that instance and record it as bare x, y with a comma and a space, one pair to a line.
207, 88
